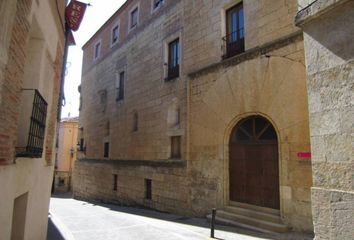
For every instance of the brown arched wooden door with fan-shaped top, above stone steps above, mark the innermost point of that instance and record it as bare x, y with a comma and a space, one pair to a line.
253, 166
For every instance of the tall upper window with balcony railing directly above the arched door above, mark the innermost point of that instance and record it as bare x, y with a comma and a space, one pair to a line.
234, 38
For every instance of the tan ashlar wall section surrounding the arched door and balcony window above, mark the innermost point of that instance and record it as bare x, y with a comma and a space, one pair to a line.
269, 80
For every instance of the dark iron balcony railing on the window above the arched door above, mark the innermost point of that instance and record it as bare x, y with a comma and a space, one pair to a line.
233, 43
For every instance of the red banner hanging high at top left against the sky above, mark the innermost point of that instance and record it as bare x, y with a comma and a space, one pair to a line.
74, 13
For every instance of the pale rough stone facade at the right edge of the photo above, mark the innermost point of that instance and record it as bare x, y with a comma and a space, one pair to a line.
328, 30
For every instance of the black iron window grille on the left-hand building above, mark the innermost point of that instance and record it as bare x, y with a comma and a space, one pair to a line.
36, 132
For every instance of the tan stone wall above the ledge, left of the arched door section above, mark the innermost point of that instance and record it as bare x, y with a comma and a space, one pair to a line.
146, 92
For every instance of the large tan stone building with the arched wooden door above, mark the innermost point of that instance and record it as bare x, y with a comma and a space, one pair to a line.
190, 105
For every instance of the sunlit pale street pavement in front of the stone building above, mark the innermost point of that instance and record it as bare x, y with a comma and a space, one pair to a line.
81, 220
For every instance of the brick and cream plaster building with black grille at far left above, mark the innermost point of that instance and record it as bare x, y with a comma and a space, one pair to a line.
31, 52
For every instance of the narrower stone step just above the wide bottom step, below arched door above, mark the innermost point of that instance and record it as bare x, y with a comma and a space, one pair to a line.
270, 217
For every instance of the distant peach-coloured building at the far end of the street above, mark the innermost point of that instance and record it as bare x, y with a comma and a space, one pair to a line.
66, 154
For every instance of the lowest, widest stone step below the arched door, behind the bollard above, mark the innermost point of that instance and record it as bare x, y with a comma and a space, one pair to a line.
232, 219
